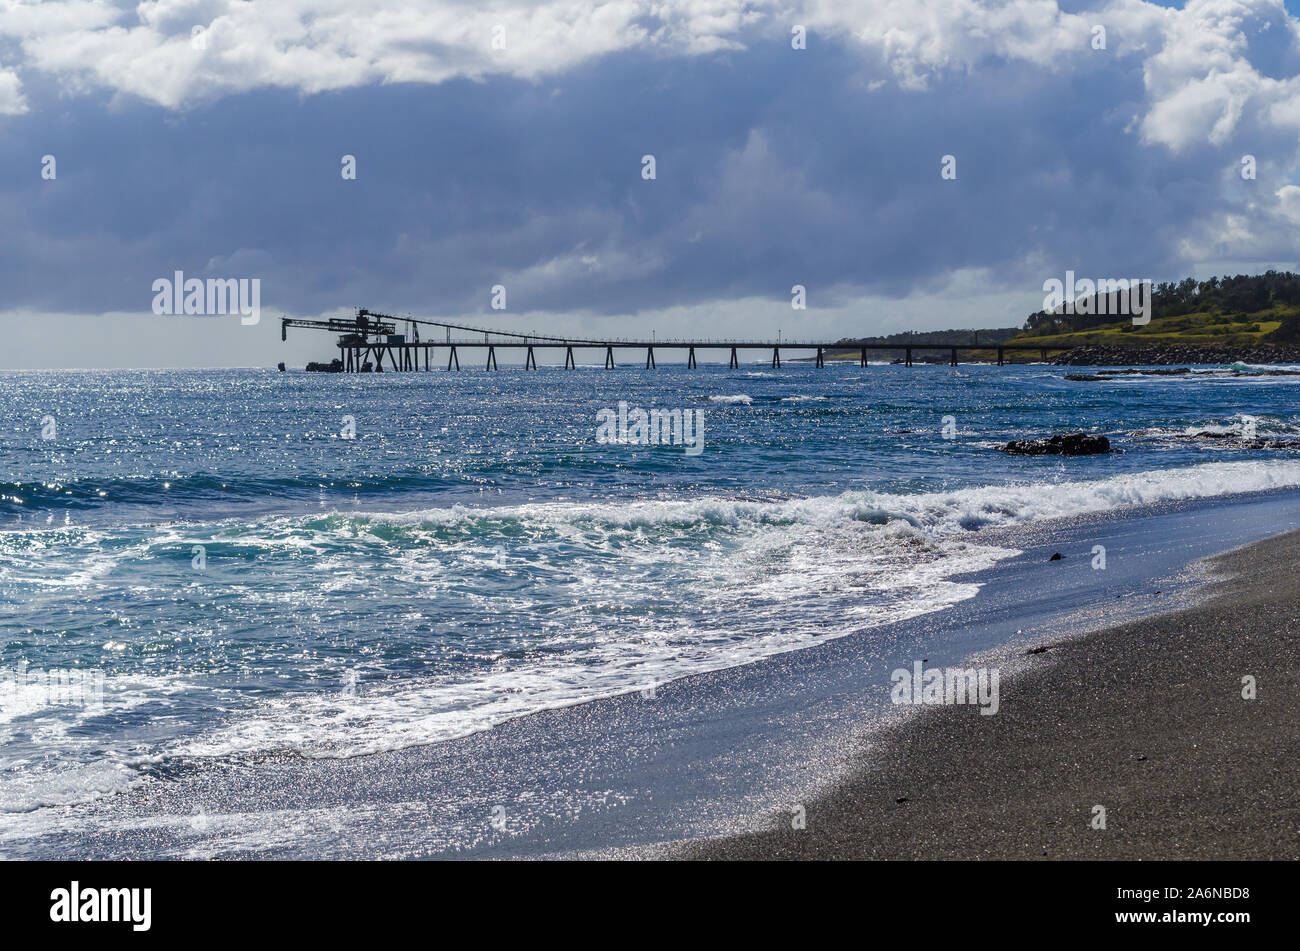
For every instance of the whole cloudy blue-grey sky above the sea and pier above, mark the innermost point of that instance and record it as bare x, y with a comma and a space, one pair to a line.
504, 145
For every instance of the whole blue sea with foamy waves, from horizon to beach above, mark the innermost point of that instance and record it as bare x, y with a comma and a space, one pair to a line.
246, 580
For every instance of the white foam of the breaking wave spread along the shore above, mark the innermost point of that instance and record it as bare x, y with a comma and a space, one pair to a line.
638, 594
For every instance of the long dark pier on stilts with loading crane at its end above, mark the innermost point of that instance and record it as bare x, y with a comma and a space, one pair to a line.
371, 344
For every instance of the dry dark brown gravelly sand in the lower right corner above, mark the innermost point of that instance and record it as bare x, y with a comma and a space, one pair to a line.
1146, 719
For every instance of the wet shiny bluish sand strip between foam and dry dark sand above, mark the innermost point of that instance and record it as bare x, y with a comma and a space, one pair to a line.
709, 755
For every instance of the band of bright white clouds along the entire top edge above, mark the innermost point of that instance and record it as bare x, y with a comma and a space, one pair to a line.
1198, 64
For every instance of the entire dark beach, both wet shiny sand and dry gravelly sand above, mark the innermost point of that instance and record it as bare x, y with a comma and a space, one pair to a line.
731, 750
